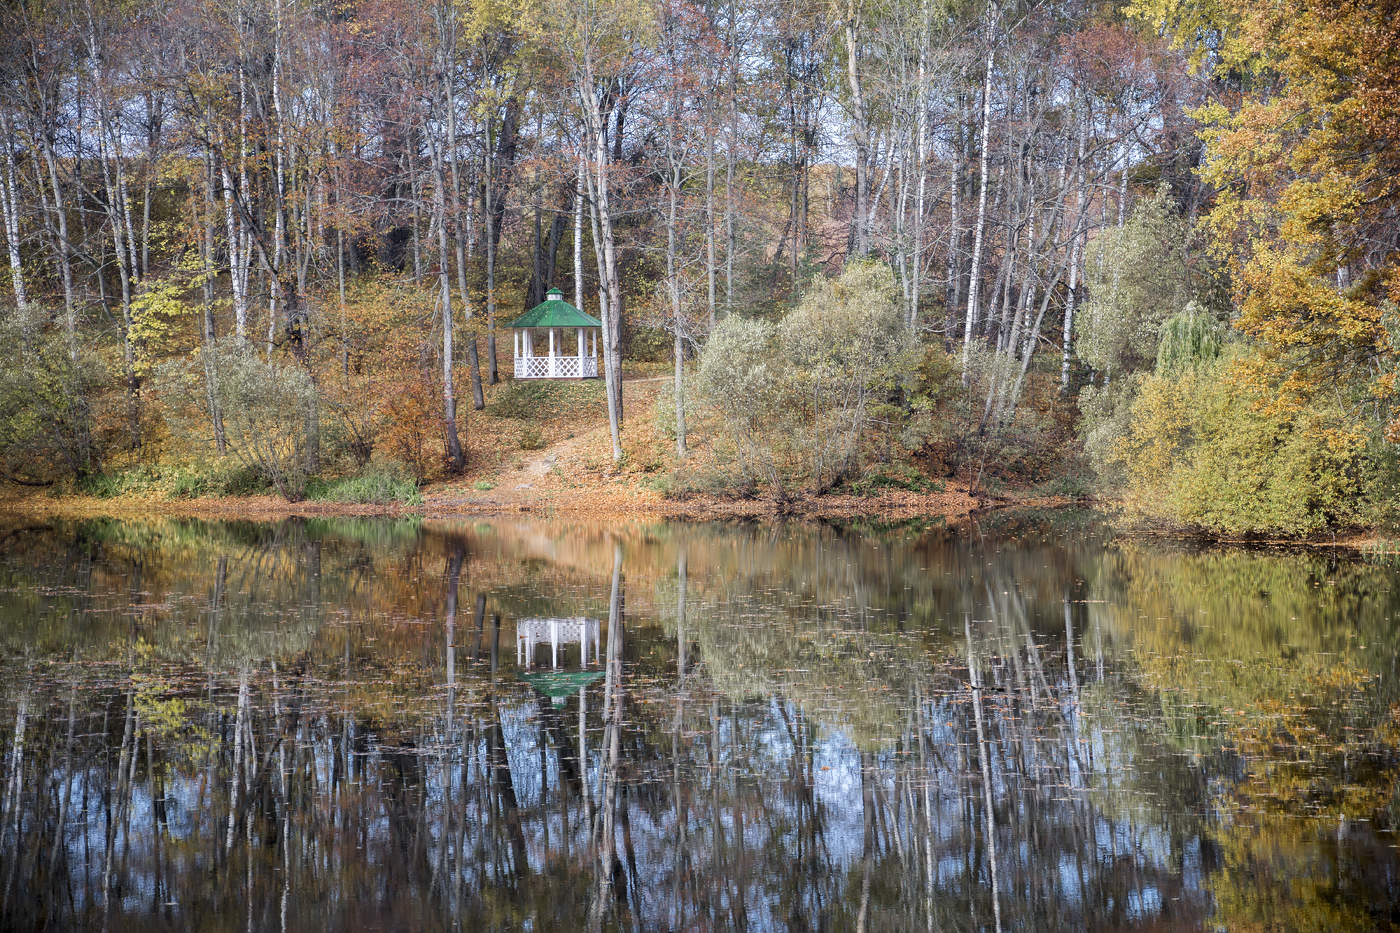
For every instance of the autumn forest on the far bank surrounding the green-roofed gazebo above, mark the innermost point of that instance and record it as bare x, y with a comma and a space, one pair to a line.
1139, 250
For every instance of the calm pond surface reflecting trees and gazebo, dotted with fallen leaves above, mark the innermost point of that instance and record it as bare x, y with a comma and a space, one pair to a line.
523, 725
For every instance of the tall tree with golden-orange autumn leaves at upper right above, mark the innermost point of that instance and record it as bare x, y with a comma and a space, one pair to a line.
1304, 148
